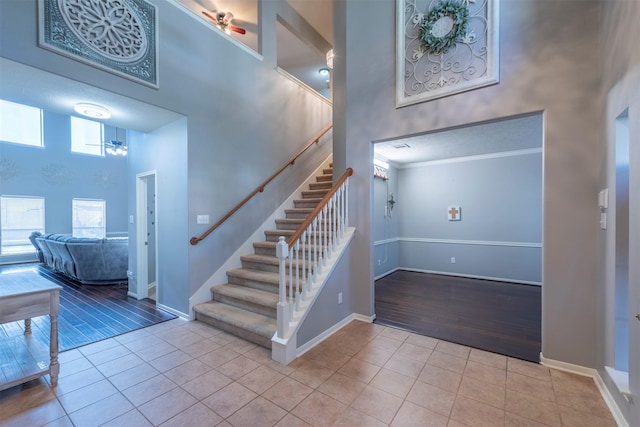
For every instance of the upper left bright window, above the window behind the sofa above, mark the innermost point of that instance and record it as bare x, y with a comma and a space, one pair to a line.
20, 124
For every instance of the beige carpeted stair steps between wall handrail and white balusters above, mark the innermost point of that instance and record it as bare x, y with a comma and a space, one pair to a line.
246, 306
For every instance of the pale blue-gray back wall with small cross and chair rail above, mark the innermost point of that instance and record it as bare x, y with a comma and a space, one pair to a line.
500, 231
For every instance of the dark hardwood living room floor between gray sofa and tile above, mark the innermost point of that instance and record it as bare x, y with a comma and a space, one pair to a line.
88, 313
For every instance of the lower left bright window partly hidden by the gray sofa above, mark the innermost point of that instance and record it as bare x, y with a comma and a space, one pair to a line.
19, 216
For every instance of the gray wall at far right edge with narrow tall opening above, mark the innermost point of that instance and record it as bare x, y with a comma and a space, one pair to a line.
620, 85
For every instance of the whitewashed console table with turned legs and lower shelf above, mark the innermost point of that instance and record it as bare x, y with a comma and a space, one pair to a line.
22, 299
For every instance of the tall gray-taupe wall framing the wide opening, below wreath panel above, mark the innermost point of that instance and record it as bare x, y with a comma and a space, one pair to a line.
549, 51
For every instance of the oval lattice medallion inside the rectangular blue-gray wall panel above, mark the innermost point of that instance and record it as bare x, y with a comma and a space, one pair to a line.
109, 27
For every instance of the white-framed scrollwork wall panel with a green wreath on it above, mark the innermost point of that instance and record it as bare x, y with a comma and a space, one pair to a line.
445, 47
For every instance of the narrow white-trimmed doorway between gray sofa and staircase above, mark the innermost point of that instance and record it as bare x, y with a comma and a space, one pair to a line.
146, 236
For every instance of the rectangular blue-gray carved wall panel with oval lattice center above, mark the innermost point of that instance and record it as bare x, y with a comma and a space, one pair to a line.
118, 36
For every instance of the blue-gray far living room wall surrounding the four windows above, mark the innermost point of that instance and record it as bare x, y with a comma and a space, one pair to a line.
58, 175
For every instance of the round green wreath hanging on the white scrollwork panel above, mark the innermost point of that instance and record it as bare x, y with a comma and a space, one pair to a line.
459, 15
